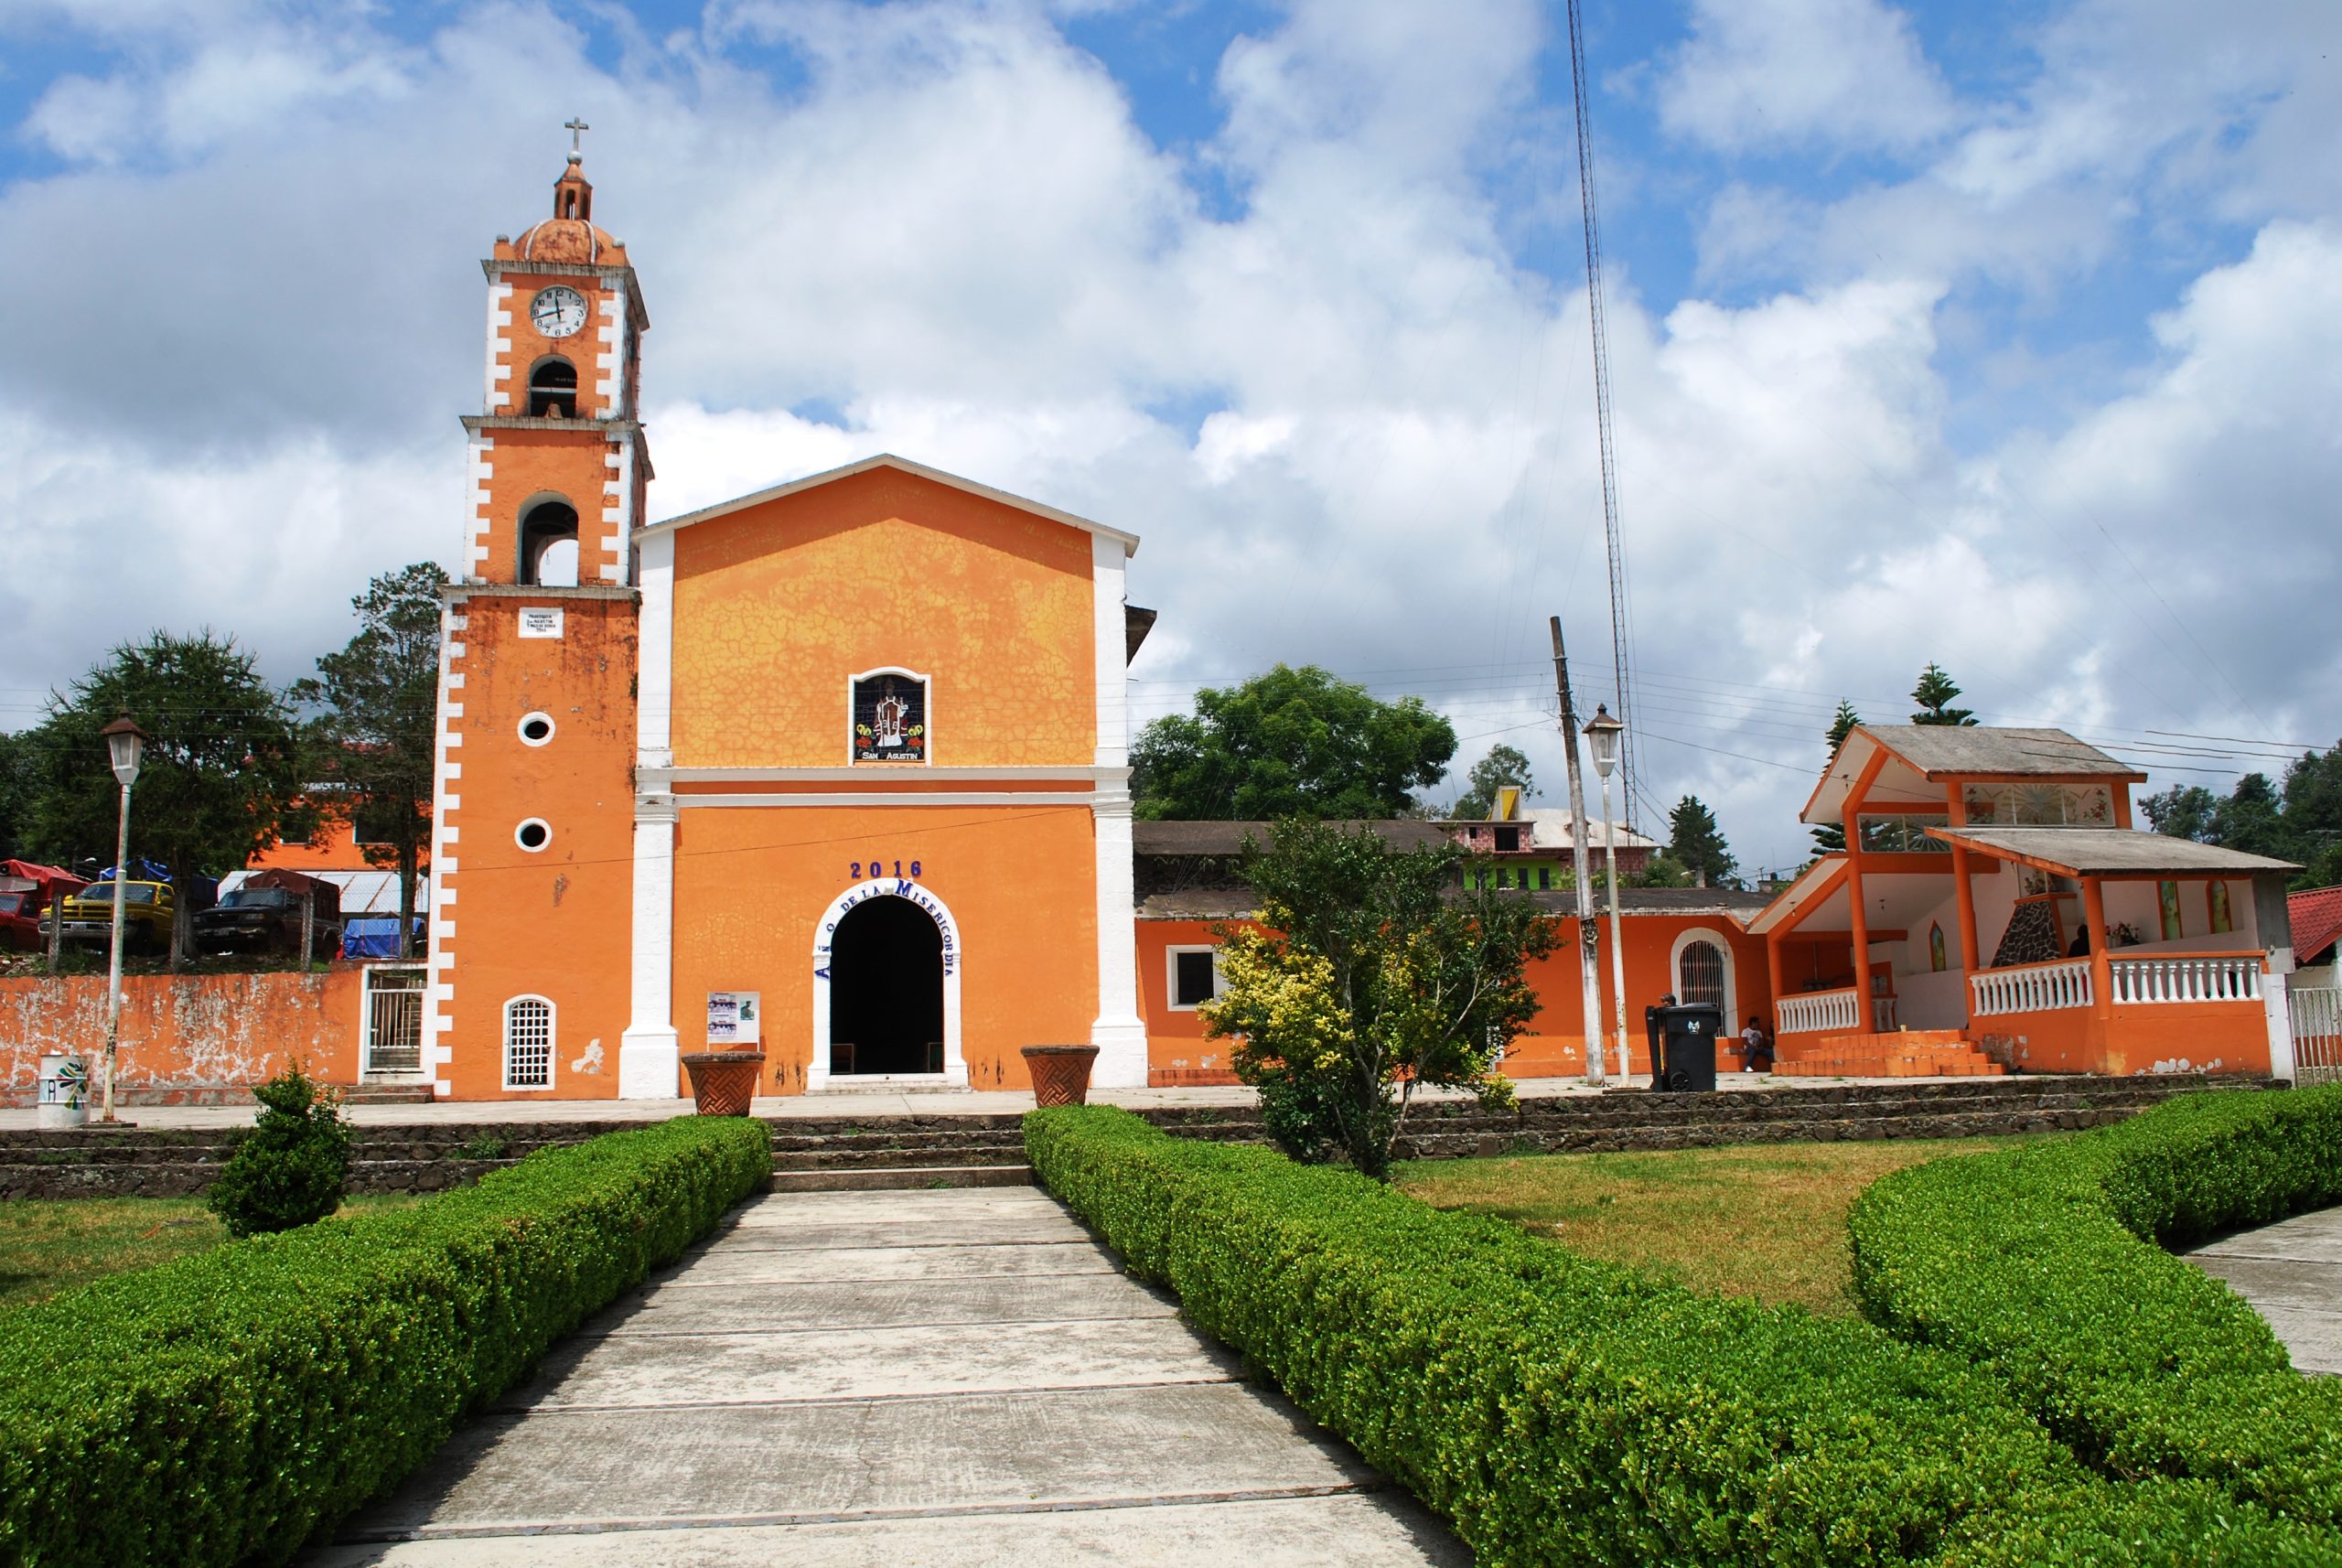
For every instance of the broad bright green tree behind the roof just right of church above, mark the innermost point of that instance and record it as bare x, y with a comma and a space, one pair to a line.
1289, 743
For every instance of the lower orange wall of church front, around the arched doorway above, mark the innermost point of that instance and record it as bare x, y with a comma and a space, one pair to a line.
751, 888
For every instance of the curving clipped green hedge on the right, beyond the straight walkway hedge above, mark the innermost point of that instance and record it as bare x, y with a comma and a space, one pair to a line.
2046, 1267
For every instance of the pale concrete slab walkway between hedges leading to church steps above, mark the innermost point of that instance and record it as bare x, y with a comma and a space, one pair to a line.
940, 1380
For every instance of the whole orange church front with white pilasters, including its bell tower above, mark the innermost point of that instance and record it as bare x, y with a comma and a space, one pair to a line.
835, 771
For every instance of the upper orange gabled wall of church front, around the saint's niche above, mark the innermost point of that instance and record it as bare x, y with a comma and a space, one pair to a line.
779, 605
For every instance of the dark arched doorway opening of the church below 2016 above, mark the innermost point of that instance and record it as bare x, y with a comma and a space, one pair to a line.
886, 991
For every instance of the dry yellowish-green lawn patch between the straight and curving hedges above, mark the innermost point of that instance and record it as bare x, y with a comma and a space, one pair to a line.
1751, 1220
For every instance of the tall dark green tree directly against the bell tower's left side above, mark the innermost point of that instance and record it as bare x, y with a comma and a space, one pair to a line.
378, 734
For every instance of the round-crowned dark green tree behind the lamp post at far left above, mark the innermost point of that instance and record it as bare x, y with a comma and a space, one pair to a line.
219, 776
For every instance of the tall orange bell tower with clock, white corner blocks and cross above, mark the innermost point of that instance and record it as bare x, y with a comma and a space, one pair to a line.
535, 799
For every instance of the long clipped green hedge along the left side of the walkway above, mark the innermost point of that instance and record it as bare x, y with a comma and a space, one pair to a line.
233, 1405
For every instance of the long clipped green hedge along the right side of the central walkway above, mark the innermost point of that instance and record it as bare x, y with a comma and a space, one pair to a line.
1563, 1410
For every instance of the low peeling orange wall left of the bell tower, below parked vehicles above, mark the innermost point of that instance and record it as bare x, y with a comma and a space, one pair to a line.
186, 1033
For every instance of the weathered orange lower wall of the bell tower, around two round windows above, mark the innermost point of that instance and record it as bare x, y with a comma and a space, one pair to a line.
554, 923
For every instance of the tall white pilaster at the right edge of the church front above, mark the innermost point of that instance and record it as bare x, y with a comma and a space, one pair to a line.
1118, 1033
